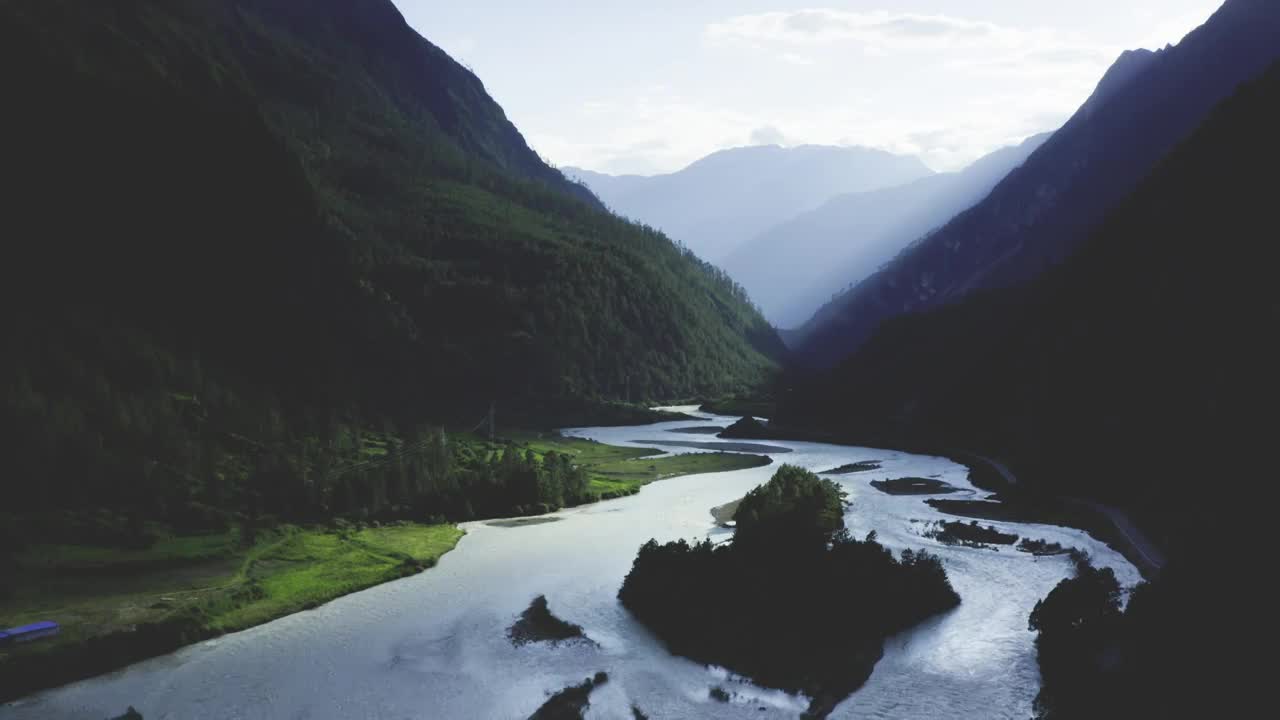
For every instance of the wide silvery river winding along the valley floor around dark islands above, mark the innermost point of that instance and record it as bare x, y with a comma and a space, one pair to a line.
435, 646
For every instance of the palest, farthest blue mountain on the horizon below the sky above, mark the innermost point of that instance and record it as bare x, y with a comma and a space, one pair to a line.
729, 198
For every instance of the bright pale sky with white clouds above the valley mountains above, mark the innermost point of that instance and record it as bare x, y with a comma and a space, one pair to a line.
650, 86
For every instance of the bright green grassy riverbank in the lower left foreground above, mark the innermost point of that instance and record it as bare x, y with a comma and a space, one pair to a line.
121, 607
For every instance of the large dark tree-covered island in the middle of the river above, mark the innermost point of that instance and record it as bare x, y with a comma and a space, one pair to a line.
793, 603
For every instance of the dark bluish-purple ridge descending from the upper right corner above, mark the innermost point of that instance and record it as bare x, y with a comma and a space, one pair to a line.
1039, 215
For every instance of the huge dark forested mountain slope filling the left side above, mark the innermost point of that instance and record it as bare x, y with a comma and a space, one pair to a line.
240, 231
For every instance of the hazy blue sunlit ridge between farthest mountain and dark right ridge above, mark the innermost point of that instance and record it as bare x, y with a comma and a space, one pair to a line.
793, 268
